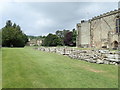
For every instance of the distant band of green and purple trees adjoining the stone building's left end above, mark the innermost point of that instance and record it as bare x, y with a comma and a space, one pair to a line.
62, 38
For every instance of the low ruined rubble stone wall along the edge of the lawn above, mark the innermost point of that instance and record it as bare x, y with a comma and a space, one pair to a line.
92, 56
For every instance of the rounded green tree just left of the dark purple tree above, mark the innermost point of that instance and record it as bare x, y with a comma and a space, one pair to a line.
52, 40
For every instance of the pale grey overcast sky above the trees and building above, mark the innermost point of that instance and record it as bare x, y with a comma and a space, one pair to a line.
41, 18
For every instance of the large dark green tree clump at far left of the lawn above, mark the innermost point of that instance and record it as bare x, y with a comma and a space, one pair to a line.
12, 35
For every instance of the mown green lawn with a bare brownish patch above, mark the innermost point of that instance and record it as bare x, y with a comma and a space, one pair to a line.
29, 68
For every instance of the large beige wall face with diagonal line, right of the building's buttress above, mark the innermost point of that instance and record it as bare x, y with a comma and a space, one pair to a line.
100, 28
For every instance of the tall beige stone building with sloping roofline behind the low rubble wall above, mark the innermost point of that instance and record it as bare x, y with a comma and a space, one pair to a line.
100, 32
